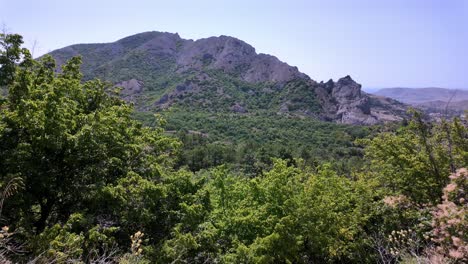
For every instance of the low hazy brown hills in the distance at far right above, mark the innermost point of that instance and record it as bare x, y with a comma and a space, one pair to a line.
432, 100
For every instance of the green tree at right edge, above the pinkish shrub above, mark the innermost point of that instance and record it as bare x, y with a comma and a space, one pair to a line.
414, 160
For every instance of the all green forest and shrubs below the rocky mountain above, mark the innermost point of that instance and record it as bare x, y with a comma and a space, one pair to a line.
84, 178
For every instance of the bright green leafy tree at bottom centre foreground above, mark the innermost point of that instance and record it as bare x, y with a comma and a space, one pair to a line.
286, 215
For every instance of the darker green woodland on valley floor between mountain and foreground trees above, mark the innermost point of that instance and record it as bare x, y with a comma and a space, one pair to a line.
248, 142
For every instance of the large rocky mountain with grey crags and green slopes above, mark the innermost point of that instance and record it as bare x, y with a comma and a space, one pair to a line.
160, 71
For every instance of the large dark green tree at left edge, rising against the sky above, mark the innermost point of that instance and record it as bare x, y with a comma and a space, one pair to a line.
67, 139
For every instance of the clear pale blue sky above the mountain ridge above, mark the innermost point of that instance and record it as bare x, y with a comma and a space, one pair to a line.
380, 43
